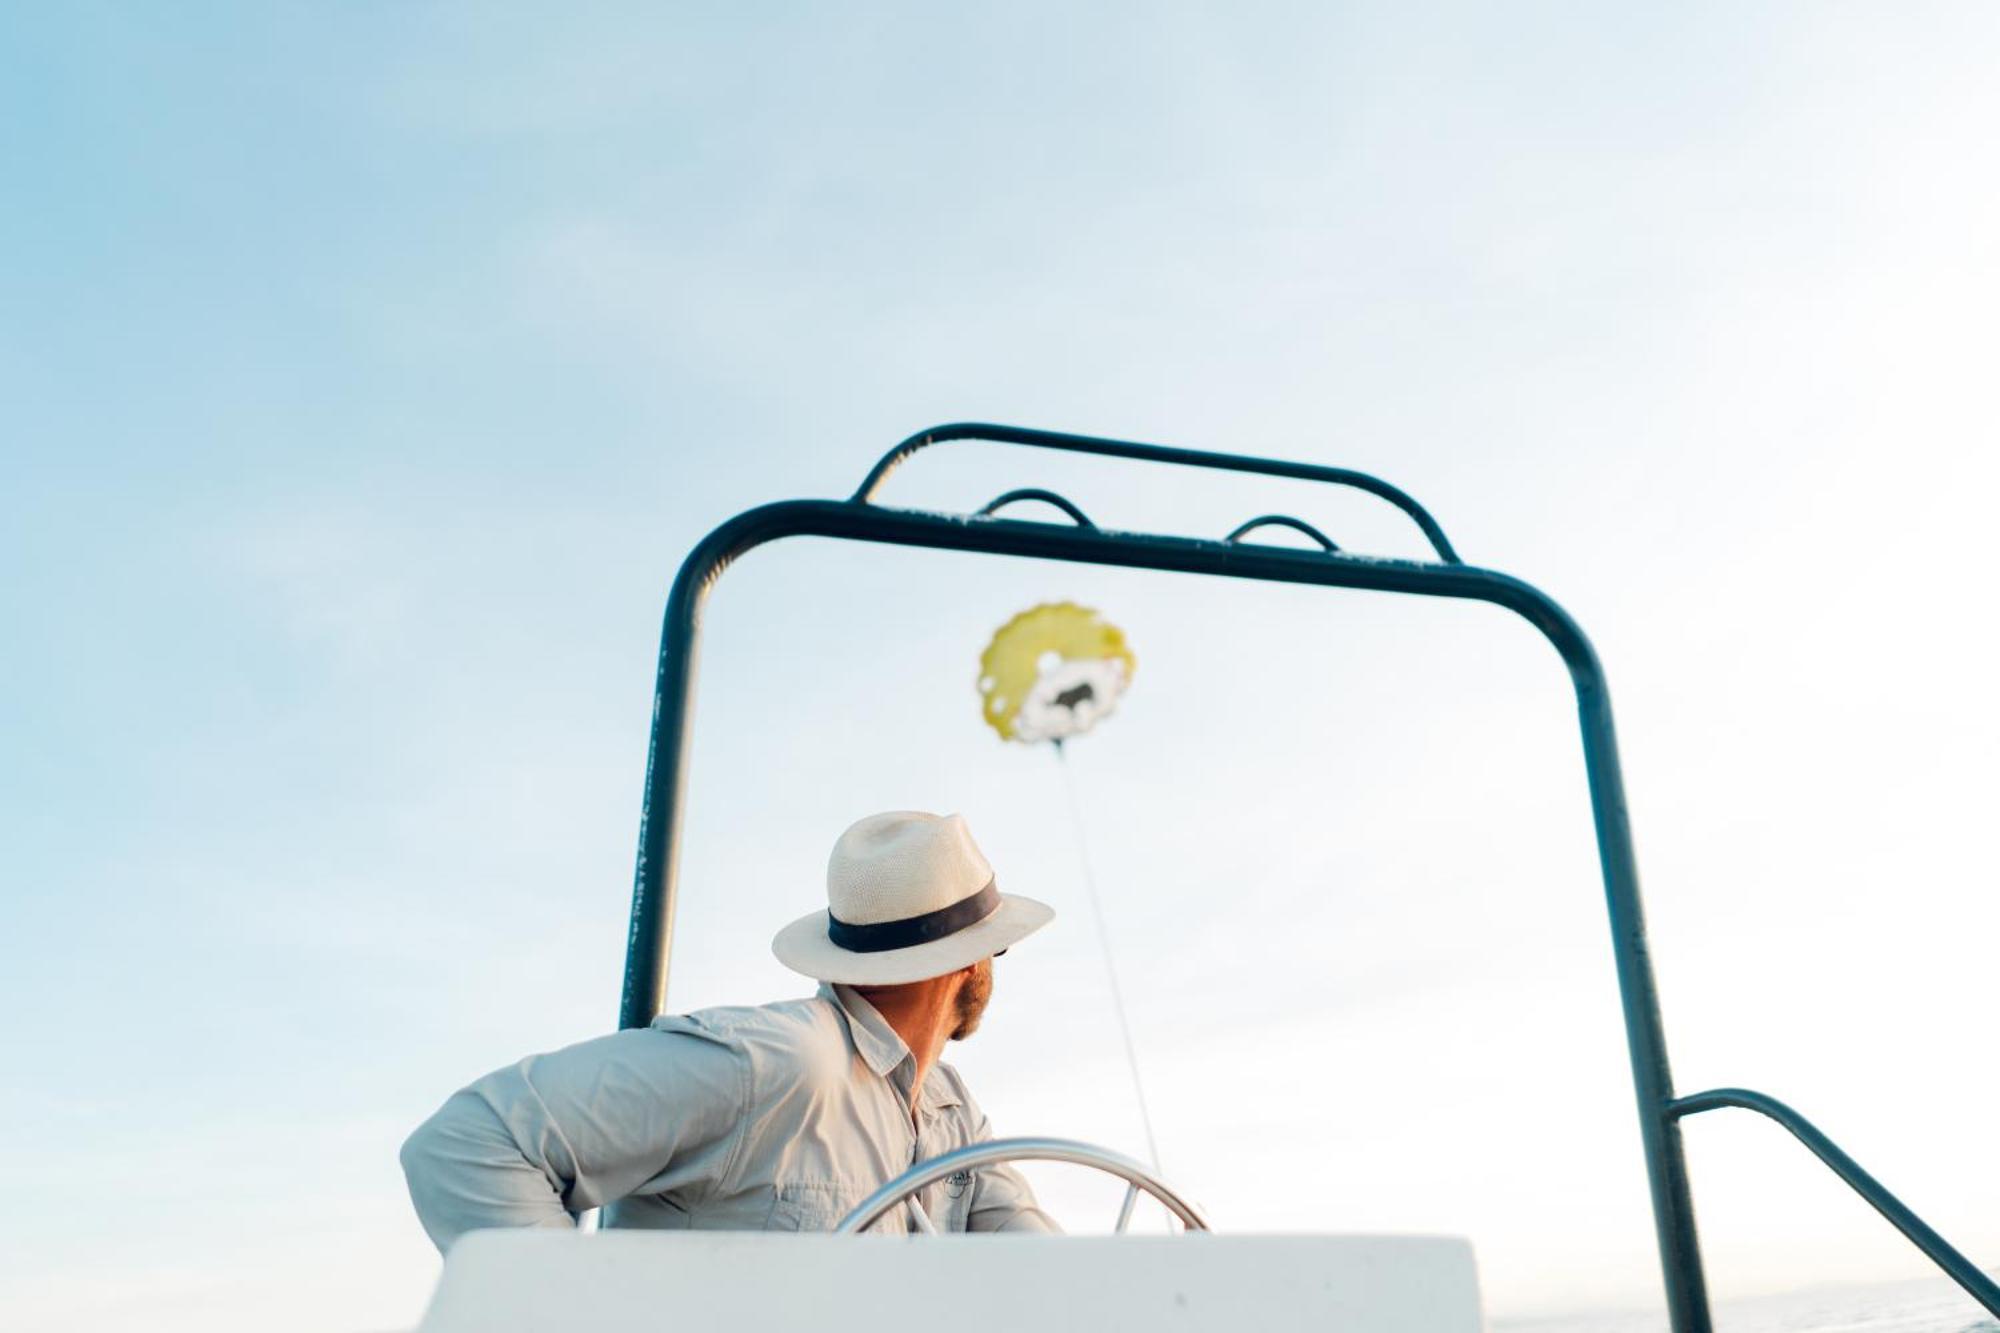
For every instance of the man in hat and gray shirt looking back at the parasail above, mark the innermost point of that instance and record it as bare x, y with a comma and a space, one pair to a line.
779, 1118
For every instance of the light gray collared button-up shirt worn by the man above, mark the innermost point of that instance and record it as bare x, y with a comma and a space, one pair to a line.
777, 1118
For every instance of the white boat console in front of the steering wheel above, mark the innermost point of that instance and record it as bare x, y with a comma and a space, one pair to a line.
737, 1282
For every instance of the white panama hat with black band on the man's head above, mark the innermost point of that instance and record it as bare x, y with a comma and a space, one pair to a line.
909, 898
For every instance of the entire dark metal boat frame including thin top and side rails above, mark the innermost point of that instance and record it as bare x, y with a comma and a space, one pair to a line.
1081, 541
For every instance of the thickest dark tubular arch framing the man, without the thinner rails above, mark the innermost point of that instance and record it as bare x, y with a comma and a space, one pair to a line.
657, 876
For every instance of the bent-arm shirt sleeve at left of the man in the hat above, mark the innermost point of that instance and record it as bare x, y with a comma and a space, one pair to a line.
539, 1142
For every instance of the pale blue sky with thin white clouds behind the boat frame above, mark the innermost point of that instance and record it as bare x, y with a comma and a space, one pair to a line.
367, 371
